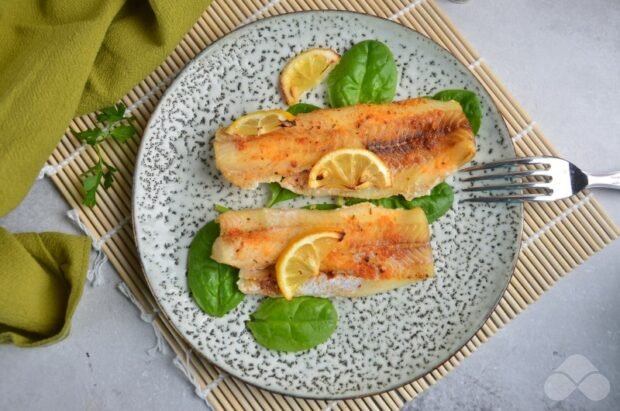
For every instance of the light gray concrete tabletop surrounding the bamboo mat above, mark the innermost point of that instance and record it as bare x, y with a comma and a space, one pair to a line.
561, 60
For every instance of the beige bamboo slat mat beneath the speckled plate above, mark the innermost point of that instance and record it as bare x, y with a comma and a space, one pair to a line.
557, 236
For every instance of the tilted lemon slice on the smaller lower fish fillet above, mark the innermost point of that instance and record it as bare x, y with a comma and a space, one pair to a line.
301, 260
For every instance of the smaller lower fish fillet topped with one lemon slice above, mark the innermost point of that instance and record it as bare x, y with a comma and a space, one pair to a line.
381, 248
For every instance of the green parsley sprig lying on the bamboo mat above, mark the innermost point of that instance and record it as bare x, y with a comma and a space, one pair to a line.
112, 123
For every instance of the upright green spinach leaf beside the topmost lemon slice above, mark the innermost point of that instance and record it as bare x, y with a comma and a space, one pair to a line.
366, 73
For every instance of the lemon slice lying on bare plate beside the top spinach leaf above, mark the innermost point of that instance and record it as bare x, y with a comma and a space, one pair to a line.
305, 71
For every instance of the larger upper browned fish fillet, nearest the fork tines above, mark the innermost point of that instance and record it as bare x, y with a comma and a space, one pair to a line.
422, 141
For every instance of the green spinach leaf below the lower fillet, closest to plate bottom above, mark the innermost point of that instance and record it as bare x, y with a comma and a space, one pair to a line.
296, 325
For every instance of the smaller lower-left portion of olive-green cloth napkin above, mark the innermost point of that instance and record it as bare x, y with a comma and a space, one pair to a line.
41, 281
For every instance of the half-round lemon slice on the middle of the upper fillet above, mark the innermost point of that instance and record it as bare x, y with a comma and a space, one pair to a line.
350, 168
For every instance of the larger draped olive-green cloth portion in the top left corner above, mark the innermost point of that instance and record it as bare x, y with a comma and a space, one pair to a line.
60, 58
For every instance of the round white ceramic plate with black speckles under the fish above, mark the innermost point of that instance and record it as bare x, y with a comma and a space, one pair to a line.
382, 341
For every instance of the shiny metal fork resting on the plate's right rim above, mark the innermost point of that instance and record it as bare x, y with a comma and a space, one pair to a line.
556, 179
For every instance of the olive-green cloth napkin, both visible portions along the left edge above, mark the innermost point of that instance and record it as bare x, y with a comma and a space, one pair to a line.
58, 59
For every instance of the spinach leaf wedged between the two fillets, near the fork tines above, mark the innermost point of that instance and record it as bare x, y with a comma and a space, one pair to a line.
436, 204
